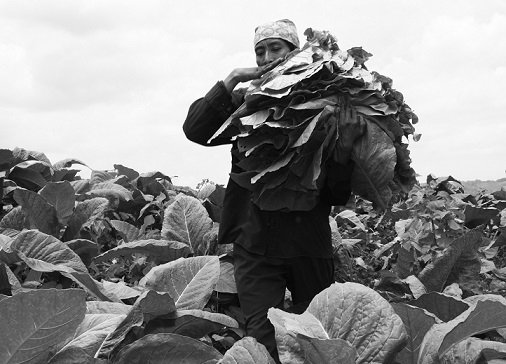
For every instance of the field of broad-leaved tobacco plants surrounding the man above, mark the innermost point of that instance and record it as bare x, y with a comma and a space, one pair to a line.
124, 267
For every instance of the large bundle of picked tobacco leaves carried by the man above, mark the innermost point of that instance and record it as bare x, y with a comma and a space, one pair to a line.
287, 128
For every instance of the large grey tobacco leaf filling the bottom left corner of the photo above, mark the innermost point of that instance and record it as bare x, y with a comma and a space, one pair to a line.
33, 322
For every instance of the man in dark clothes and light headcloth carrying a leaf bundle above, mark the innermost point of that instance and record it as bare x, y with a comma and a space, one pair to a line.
273, 250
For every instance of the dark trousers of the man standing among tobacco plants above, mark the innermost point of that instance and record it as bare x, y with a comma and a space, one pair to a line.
261, 284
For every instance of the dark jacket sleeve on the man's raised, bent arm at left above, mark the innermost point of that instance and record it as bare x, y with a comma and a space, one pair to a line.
208, 113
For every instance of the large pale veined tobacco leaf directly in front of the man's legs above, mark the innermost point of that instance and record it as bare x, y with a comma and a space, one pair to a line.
346, 311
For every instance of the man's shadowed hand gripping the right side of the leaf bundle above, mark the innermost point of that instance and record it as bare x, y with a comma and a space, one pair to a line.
351, 127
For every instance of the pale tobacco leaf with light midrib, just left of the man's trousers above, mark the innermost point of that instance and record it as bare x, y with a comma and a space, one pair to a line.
189, 281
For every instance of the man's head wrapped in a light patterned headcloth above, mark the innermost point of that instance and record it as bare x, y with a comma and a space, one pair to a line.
275, 40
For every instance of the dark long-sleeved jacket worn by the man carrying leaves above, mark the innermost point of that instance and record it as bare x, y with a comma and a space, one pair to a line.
270, 233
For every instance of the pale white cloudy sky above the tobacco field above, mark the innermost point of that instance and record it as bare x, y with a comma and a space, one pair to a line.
110, 81
